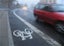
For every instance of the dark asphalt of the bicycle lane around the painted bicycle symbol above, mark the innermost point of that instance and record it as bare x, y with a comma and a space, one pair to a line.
16, 24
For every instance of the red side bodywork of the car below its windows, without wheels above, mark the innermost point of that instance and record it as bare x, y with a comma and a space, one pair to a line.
49, 17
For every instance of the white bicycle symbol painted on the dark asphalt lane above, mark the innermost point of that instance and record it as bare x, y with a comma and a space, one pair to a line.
27, 33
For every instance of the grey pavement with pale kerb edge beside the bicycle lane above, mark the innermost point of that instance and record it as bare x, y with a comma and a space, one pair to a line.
5, 35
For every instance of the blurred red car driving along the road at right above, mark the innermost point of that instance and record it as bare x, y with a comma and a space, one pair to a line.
52, 14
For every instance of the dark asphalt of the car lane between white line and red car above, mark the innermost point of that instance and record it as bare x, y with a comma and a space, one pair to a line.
44, 27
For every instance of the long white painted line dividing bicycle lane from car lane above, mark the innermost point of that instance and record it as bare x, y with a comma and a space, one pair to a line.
48, 39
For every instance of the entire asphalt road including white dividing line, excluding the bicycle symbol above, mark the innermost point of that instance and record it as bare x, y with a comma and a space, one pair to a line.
38, 39
